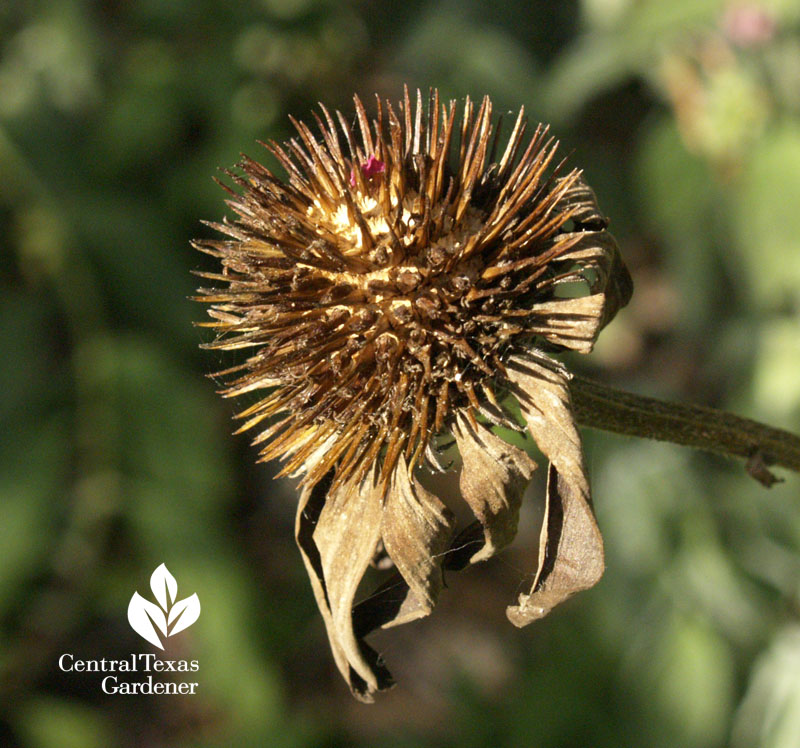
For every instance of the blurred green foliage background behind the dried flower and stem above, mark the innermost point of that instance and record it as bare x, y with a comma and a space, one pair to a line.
116, 454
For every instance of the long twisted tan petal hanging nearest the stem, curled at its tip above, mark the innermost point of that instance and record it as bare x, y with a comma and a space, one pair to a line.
570, 546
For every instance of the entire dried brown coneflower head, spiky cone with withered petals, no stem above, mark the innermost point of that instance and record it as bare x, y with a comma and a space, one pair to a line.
399, 286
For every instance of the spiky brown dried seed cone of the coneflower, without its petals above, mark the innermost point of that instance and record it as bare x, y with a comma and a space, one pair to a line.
381, 287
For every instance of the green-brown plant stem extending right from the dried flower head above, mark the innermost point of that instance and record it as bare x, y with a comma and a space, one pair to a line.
601, 407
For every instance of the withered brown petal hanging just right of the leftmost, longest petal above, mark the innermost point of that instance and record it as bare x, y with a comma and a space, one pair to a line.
416, 529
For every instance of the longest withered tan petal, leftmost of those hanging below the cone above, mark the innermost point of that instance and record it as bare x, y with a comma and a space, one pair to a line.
337, 532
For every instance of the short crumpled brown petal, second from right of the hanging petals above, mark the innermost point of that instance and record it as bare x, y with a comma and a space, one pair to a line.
493, 478
